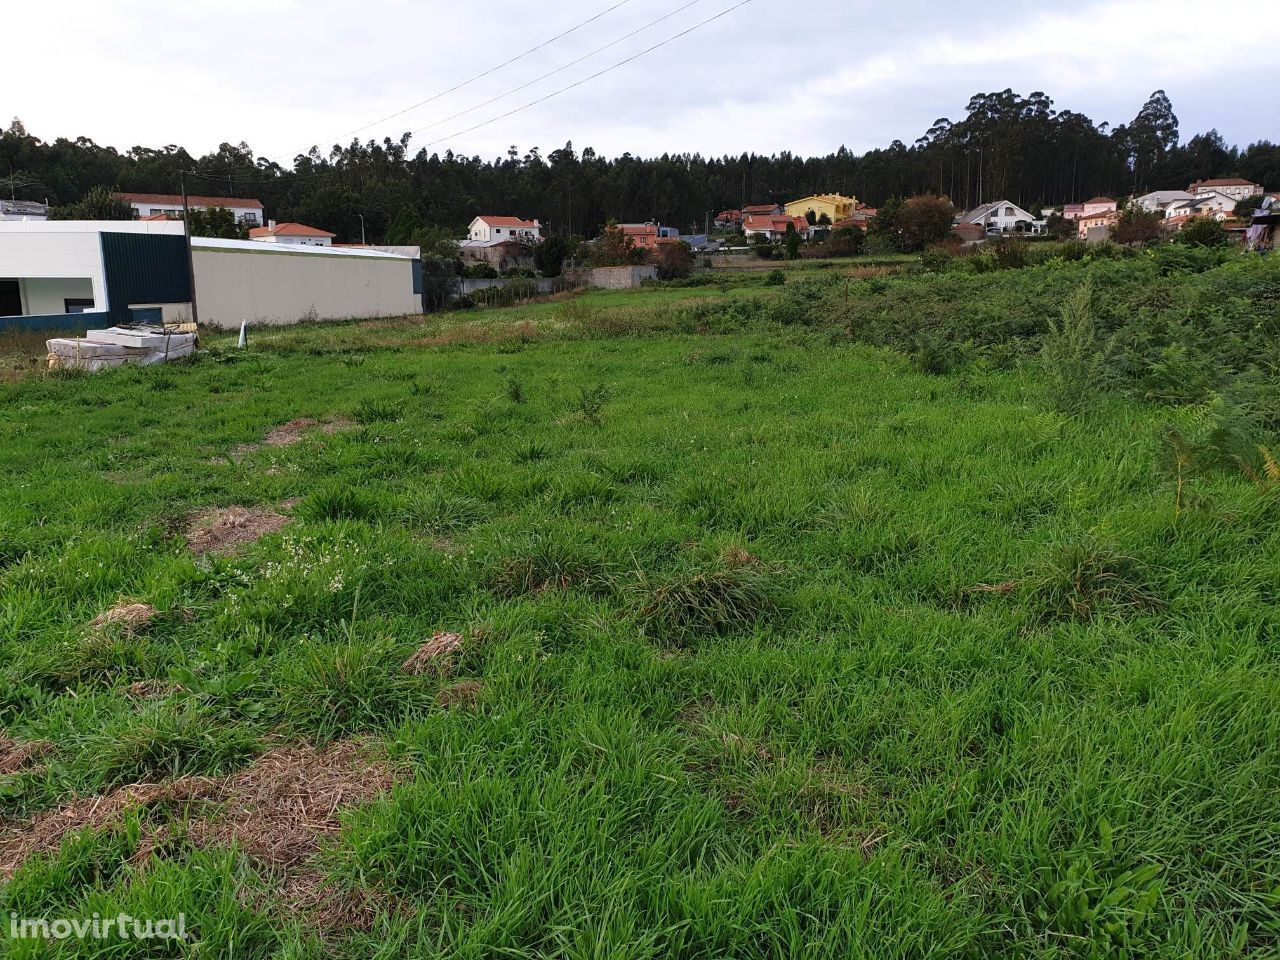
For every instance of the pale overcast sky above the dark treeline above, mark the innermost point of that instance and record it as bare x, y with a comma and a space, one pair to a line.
806, 76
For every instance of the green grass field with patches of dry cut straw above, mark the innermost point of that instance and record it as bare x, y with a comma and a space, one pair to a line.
634, 627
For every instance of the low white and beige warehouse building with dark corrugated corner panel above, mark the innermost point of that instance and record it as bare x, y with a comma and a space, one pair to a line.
116, 273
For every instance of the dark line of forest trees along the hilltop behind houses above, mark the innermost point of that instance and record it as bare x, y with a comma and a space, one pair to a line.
1005, 148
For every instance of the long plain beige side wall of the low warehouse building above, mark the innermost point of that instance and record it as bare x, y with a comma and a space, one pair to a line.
282, 286
